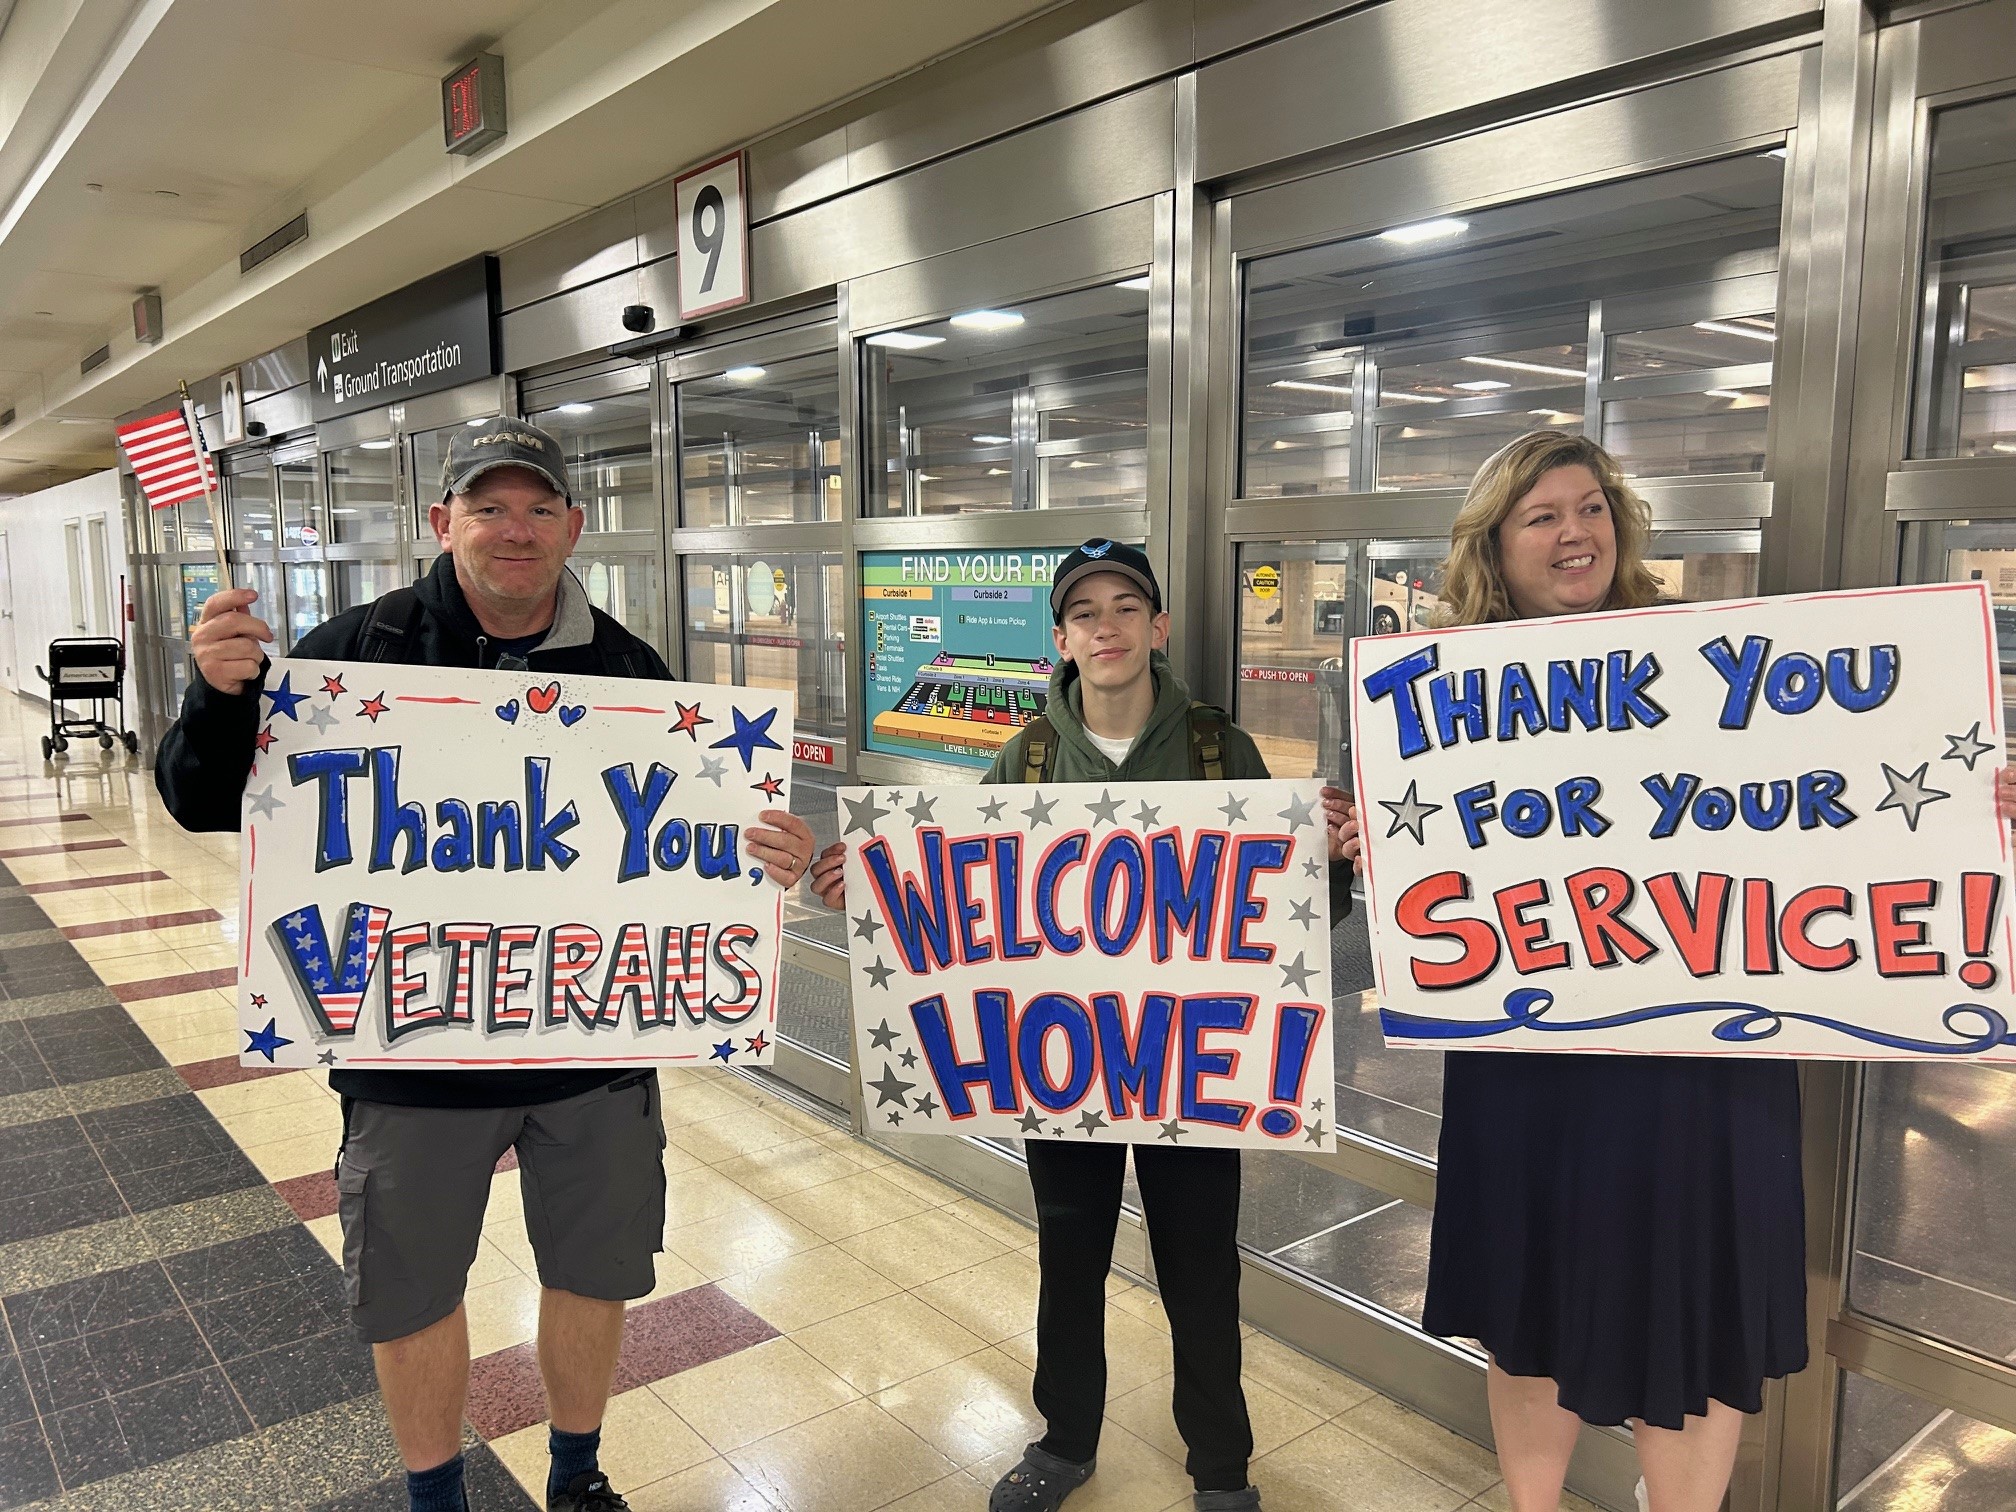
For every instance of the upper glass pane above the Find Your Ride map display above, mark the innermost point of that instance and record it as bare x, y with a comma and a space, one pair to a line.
1025, 408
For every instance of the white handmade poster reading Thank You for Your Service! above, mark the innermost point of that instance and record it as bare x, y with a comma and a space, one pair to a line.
1759, 828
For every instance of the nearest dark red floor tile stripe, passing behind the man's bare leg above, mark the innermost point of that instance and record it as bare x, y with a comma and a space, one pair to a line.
660, 1340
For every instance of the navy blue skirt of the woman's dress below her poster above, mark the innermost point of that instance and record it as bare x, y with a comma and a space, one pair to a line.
1630, 1227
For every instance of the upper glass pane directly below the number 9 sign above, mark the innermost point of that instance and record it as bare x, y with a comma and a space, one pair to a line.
761, 445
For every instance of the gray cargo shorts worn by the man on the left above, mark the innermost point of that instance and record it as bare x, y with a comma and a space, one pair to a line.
412, 1186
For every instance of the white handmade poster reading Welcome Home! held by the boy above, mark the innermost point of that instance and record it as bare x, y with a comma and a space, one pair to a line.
1144, 963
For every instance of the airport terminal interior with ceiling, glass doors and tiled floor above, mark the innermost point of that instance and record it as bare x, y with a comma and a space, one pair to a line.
1251, 283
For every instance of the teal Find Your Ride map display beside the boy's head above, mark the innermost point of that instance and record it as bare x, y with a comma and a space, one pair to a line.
959, 650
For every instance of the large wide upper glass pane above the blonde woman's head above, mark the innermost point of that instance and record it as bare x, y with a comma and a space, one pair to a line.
1404, 360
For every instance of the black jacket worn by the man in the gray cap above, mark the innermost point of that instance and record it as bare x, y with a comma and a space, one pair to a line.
207, 757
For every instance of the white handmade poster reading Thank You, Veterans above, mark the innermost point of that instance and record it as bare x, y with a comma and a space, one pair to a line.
451, 868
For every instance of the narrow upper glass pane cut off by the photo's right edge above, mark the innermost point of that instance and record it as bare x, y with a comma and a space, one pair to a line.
1967, 376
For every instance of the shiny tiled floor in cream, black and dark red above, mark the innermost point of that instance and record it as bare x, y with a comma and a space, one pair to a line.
832, 1332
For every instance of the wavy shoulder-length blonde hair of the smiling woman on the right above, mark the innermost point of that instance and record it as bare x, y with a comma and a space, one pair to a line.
1473, 578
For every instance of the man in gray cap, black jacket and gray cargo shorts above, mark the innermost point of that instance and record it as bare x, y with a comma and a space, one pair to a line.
420, 1146
